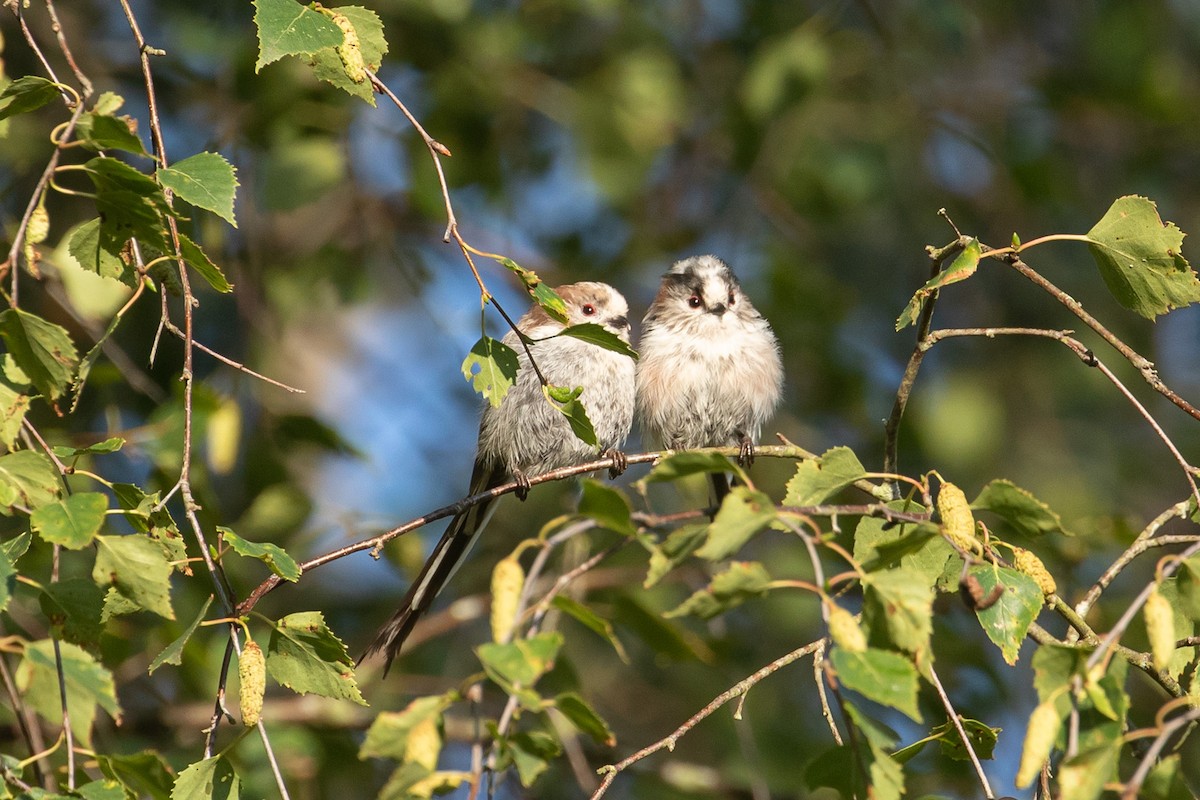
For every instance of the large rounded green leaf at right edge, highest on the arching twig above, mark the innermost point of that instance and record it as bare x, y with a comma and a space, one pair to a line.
1141, 258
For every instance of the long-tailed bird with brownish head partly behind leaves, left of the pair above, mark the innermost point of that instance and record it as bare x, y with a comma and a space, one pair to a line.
525, 436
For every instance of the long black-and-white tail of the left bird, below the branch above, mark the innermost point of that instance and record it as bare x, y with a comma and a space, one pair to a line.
447, 557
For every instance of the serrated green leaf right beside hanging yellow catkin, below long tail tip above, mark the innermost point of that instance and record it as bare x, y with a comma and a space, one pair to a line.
305, 657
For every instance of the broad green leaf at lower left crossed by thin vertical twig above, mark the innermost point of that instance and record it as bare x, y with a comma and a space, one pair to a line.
88, 687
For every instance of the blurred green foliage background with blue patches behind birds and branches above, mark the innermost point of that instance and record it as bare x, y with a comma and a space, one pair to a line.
811, 145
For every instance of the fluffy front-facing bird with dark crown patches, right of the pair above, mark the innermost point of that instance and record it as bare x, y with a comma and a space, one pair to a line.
711, 372
